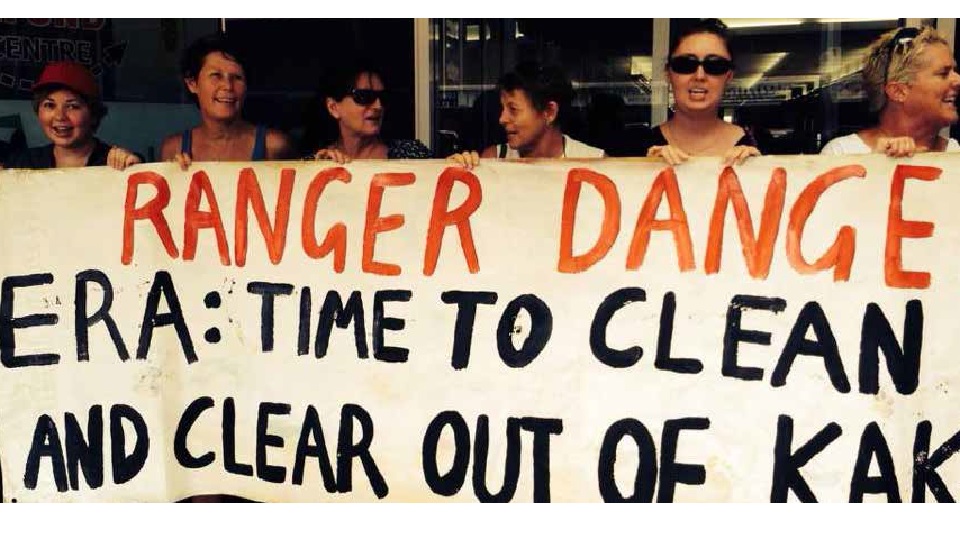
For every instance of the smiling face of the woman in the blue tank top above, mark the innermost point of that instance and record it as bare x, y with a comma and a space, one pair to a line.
220, 87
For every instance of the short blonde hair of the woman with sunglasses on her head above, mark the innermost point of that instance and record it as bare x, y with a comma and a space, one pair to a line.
888, 62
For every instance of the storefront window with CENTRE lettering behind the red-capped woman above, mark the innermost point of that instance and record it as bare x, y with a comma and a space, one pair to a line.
136, 62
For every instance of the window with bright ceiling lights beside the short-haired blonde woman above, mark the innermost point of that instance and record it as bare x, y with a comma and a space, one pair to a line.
797, 83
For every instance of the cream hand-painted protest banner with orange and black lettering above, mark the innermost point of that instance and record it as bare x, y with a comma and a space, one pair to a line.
553, 331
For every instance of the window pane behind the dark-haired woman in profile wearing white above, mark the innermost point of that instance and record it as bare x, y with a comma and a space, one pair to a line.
607, 60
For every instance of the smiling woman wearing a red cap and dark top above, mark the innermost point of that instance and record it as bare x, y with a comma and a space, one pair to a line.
67, 102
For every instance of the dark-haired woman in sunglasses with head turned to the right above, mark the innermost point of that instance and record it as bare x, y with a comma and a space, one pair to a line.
353, 98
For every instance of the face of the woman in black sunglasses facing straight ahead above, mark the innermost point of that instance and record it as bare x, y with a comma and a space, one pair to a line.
699, 91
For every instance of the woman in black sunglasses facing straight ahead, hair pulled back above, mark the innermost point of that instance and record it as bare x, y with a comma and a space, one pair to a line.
699, 68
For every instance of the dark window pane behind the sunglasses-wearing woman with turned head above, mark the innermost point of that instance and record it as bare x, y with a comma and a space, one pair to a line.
288, 59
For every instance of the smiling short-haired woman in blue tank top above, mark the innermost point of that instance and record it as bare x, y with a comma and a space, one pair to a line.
213, 74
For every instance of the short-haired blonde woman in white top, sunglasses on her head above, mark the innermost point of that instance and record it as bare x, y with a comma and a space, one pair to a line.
912, 85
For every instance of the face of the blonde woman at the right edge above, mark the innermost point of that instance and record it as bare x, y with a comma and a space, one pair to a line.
931, 94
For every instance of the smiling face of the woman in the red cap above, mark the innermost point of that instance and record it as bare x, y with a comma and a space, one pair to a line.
66, 119
